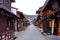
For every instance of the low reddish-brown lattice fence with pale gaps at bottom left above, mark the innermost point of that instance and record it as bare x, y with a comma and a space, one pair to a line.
7, 35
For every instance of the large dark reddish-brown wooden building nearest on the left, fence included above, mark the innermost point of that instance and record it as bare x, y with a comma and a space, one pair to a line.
7, 20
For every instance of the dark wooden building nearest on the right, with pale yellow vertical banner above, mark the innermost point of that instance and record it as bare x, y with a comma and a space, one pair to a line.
52, 10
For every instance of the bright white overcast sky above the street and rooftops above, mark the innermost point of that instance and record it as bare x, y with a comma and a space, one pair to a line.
28, 7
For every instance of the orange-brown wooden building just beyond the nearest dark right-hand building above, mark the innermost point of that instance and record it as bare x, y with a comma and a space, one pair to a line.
40, 17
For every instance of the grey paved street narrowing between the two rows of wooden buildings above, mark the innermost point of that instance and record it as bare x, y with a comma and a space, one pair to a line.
31, 33
